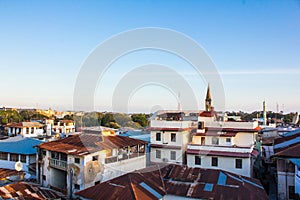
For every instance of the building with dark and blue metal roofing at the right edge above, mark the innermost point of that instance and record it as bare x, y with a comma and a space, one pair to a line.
287, 154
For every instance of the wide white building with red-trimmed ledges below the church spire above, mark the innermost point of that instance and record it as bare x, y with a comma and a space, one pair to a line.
224, 145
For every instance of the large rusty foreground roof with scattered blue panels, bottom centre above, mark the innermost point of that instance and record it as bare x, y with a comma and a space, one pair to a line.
177, 182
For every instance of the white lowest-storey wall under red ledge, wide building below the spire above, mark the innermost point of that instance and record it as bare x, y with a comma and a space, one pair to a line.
224, 163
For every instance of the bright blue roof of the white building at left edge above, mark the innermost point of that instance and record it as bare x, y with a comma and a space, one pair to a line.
24, 146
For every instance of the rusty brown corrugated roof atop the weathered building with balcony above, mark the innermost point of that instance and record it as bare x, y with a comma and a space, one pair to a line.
82, 144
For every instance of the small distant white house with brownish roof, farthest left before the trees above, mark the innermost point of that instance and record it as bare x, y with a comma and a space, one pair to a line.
25, 129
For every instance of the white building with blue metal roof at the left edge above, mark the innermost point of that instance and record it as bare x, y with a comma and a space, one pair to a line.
21, 149
